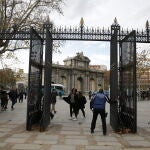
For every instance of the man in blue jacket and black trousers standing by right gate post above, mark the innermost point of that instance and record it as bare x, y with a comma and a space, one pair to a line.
97, 105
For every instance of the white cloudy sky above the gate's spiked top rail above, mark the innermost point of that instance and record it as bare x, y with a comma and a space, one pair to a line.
102, 12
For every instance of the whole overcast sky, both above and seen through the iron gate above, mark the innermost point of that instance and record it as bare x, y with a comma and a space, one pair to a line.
97, 13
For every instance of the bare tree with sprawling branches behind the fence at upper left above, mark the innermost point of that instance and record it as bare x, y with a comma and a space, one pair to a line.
21, 14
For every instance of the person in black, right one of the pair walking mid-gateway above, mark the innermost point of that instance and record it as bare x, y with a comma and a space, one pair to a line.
81, 103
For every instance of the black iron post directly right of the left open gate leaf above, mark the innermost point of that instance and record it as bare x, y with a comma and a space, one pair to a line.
47, 81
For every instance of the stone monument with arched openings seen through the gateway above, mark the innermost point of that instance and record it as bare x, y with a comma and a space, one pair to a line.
77, 73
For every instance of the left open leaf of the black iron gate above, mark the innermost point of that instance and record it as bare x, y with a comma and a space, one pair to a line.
34, 112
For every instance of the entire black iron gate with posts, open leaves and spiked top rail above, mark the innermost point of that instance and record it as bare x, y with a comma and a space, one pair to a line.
38, 112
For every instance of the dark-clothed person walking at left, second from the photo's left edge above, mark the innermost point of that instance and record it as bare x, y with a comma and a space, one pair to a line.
13, 97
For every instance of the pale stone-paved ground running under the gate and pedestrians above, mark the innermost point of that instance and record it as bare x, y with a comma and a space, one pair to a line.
65, 134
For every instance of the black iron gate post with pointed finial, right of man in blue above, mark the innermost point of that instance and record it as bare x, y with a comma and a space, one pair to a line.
115, 28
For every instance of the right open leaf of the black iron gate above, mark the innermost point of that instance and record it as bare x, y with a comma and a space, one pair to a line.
128, 101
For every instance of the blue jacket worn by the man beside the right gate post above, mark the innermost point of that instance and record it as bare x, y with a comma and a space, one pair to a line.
98, 101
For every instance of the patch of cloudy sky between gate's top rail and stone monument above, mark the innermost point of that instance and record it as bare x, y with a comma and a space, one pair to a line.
98, 52
